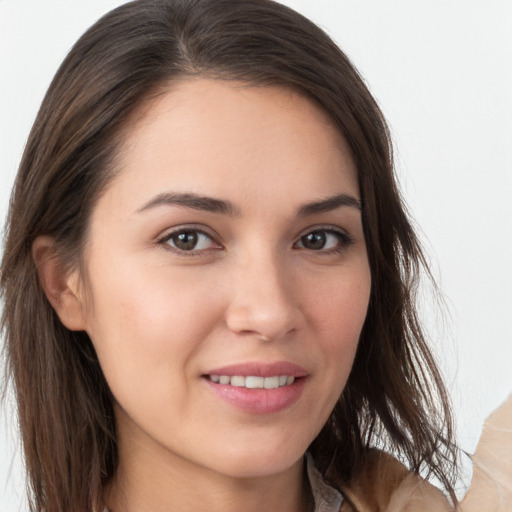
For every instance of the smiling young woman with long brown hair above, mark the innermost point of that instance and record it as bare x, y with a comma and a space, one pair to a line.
209, 272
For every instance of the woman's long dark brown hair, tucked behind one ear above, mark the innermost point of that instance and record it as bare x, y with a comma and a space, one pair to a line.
394, 397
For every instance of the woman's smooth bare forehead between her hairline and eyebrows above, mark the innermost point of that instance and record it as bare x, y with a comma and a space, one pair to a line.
213, 137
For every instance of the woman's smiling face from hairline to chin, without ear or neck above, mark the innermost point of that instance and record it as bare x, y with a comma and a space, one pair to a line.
227, 277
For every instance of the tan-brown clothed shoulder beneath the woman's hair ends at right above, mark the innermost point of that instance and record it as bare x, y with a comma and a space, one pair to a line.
385, 485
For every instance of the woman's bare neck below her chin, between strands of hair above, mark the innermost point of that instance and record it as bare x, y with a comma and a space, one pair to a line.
149, 479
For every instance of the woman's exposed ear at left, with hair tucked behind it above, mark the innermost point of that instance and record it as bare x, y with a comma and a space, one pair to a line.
60, 286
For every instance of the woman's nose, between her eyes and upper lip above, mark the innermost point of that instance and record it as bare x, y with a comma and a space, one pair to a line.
263, 303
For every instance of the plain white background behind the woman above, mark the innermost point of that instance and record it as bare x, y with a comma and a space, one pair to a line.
442, 73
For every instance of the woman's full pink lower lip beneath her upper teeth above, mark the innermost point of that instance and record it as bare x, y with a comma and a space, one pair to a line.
259, 401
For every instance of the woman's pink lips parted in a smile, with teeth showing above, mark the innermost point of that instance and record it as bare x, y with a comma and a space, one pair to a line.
258, 388
